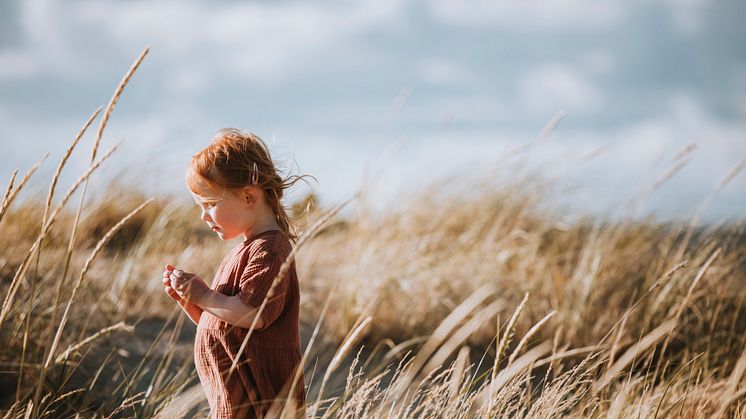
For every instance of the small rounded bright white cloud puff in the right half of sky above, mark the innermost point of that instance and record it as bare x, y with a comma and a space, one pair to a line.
556, 86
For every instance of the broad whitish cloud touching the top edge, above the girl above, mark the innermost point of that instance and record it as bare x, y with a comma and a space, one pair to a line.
265, 42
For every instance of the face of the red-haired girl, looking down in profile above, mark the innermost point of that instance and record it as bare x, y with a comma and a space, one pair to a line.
229, 215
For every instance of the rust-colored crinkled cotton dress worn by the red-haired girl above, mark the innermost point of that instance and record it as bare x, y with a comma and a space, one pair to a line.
268, 363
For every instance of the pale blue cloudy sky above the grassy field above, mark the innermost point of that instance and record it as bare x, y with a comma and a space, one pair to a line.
391, 96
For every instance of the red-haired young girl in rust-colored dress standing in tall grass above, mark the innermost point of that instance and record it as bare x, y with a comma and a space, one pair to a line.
236, 185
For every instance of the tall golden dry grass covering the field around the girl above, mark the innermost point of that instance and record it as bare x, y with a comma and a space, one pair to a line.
478, 305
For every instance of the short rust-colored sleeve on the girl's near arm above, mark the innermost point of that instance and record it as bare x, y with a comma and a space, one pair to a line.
256, 281
